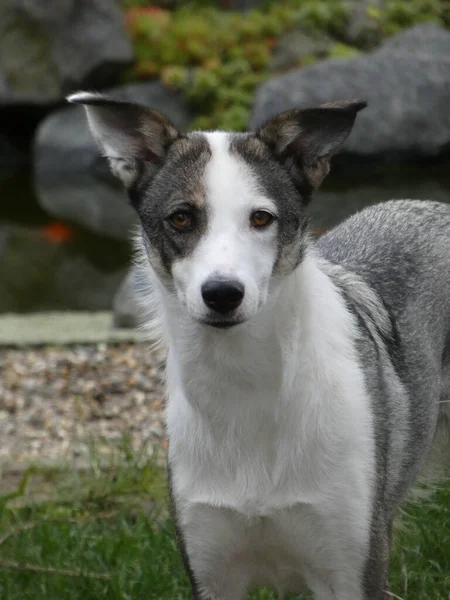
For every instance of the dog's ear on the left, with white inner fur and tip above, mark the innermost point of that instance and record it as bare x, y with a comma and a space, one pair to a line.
131, 136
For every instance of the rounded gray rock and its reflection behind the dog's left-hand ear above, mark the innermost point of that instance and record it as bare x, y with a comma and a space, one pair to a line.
72, 179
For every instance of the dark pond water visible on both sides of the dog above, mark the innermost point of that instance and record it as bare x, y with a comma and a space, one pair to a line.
49, 265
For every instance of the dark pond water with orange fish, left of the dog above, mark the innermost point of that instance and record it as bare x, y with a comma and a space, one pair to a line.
48, 265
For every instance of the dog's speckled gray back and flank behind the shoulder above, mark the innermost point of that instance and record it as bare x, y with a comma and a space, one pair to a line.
401, 249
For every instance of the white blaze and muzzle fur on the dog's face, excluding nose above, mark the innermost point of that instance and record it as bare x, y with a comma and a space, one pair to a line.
230, 248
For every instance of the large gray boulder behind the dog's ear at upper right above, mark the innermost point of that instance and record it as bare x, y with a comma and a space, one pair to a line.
406, 83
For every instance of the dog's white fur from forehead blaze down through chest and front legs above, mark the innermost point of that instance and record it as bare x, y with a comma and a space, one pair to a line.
270, 427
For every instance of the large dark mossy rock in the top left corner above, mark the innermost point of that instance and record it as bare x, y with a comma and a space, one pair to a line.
50, 48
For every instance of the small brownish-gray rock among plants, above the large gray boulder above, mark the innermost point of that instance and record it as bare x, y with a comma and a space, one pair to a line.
296, 46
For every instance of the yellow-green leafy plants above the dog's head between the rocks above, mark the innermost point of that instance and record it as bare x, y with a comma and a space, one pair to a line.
217, 58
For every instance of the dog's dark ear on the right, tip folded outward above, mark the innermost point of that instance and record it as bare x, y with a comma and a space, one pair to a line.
304, 140
